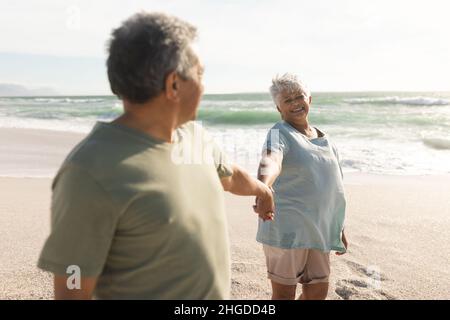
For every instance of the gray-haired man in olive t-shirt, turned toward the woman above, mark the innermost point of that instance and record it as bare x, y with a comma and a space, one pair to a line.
137, 206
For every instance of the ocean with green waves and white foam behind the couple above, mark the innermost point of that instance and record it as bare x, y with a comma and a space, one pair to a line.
378, 133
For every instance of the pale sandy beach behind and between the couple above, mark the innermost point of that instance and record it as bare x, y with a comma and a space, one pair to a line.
397, 226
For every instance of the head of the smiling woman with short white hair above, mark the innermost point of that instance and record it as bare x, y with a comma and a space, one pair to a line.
291, 97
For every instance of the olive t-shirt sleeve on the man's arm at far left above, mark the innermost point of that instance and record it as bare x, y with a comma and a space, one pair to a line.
83, 222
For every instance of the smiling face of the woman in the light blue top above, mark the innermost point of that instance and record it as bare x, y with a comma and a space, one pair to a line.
294, 106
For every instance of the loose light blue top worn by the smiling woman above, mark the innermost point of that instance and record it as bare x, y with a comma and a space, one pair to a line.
309, 193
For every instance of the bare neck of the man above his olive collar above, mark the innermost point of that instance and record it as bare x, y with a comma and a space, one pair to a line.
153, 118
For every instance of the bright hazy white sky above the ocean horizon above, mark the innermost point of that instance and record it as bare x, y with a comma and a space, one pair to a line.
333, 45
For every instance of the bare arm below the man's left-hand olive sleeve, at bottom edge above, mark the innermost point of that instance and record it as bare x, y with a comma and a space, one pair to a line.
62, 292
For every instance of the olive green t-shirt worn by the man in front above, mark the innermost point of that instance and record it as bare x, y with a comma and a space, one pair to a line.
145, 216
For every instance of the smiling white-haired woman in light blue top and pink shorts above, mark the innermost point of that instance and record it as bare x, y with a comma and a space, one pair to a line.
301, 165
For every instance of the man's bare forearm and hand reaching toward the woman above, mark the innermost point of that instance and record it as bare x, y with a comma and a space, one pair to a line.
241, 183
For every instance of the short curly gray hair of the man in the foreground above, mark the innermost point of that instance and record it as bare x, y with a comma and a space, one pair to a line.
144, 50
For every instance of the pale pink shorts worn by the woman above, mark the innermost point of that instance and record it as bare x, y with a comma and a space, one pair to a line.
292, 266
